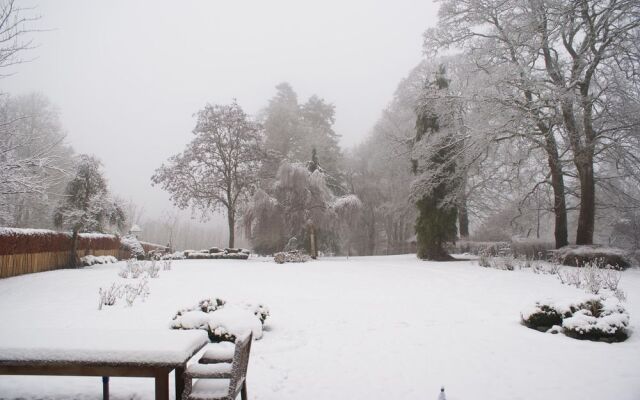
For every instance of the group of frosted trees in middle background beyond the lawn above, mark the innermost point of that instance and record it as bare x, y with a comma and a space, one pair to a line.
281, 176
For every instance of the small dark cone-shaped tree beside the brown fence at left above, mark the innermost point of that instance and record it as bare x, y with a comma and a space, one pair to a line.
87, 205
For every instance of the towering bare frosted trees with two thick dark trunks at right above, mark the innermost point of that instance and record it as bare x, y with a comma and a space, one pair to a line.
554, 62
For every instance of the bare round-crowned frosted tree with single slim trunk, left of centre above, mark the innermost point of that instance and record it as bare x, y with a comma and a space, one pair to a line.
219, 167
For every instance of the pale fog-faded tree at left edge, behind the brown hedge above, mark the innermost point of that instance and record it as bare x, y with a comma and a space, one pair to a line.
33, 160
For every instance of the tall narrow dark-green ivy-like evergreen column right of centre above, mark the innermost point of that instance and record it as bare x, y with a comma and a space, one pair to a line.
434, 154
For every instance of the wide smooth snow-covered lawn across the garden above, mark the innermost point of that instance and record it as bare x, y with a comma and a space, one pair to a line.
364, 328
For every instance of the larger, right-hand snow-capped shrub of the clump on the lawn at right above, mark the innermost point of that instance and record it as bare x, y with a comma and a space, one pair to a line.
600, 319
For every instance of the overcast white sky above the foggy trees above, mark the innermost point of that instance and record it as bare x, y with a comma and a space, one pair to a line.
127, 76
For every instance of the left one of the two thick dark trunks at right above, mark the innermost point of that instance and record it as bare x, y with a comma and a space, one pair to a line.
557, 183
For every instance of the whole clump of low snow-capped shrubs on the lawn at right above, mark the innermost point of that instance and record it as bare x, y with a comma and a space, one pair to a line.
596, 318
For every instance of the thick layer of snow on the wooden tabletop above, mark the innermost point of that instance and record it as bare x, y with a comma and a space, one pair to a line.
86, 345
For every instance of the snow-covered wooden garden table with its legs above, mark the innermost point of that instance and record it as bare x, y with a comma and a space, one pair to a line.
79, 352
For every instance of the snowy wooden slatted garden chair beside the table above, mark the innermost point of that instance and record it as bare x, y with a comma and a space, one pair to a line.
221, 380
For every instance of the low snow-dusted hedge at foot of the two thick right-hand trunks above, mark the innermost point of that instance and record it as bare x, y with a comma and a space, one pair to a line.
580, 255
